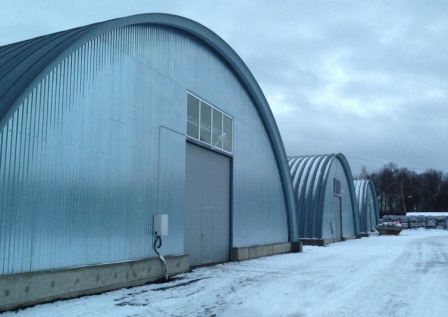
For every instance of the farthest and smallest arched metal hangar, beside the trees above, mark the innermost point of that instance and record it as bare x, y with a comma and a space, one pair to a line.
366, 194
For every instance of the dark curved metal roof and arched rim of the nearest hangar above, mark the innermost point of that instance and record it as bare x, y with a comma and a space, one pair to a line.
24, 64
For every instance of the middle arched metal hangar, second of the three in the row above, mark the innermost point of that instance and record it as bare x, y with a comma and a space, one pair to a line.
327, 209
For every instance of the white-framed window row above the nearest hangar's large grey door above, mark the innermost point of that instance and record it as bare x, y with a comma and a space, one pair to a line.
208, 124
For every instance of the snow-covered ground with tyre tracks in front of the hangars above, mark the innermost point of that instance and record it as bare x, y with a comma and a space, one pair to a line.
405, 275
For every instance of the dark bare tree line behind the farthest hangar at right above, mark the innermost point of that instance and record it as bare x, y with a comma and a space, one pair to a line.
400, 190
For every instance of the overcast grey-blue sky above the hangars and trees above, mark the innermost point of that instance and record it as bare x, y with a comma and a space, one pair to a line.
368, 79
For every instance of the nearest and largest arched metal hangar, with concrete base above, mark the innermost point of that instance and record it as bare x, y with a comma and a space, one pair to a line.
111, 130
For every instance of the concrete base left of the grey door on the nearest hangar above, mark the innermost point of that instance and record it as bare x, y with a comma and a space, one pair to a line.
26, 289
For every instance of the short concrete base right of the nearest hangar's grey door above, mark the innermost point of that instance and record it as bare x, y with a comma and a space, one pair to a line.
257, 251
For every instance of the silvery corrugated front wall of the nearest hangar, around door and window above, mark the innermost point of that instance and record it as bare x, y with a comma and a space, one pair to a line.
98, 147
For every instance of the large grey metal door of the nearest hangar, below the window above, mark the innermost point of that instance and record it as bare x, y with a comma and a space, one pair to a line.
207, 206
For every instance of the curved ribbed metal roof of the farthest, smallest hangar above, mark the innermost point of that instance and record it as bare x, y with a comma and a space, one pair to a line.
362, 188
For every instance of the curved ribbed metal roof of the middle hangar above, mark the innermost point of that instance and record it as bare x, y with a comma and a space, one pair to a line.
310, 176
